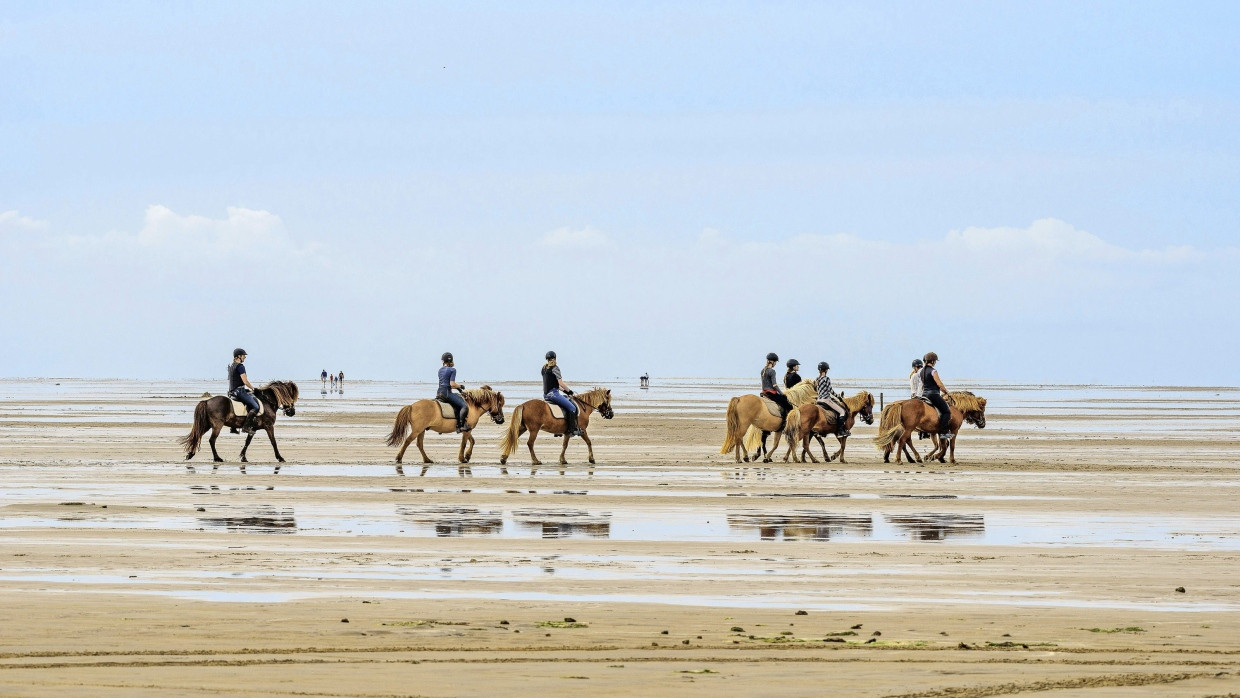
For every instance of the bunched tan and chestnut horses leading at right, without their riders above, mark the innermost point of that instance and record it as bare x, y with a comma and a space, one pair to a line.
752, 418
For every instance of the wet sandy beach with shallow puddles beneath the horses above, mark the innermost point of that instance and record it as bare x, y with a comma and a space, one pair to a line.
1088, 544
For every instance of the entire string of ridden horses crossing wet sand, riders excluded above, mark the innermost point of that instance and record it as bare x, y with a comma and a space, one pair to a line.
751, 420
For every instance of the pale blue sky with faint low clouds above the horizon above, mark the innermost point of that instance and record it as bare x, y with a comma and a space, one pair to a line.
1041, 192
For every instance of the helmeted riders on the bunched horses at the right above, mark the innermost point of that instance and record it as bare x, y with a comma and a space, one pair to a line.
924, 384
